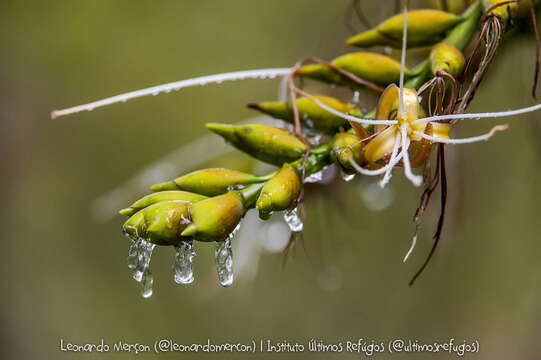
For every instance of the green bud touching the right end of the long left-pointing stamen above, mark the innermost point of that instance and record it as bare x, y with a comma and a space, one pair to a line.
376, 68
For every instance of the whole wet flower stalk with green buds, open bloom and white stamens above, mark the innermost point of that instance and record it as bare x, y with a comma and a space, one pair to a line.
415, 113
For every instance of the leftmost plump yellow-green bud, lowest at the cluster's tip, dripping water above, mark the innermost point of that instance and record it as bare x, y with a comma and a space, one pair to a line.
161, 223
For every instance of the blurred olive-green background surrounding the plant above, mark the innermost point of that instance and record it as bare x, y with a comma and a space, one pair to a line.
63, 268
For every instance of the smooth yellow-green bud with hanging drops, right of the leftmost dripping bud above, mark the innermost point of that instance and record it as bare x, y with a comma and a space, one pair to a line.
215, 218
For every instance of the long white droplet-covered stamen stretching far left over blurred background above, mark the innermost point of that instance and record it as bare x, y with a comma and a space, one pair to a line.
174, 86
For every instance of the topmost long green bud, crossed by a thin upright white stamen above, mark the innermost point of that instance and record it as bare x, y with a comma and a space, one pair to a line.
425, 27
